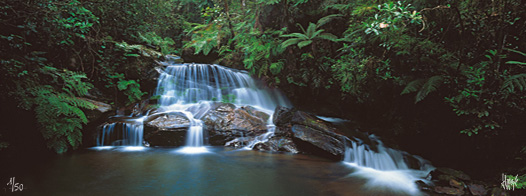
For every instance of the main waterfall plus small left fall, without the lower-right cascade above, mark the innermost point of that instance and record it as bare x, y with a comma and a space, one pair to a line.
181, 86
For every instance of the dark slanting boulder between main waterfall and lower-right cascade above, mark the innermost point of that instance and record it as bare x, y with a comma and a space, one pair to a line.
309, 133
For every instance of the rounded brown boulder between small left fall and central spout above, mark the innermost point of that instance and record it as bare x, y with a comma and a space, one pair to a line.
166, 129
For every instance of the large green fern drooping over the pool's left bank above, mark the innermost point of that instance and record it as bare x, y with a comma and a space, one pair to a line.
58, 110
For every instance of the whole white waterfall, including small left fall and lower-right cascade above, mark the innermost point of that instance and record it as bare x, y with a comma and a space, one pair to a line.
184, 86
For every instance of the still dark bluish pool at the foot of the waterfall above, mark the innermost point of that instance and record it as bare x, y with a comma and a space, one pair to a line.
168, 171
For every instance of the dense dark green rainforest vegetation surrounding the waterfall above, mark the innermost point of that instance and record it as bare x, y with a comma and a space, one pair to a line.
445, 78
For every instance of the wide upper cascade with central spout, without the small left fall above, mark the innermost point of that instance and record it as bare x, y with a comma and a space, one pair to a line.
183, 85
